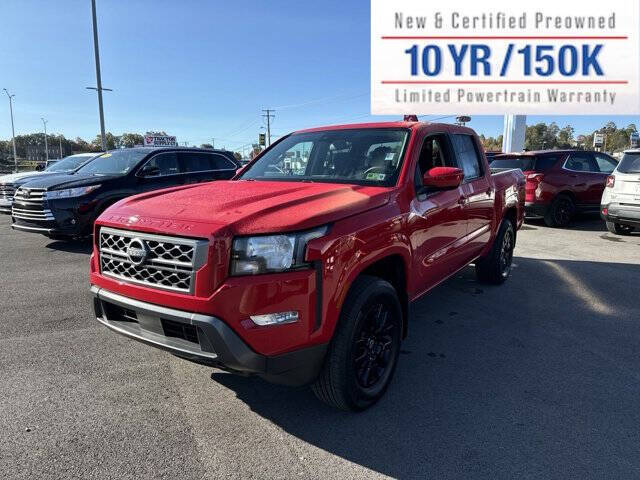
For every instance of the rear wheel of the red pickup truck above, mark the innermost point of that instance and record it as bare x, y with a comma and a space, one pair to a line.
495, 268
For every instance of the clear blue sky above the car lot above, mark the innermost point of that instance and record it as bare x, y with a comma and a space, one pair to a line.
196, 69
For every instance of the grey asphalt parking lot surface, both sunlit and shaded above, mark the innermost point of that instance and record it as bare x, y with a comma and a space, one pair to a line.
538, 378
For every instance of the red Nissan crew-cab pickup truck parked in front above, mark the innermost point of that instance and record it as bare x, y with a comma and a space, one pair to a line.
303, 268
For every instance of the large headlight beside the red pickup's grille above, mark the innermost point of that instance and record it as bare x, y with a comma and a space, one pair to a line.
271, 253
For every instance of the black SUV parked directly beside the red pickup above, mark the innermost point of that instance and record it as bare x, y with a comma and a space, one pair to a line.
66, 207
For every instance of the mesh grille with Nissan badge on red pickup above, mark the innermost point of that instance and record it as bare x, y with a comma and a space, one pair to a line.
169, 263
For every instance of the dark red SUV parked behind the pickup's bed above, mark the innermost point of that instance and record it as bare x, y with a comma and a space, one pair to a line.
560, 183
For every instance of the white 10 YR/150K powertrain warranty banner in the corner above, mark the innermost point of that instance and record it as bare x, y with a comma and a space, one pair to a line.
499, 56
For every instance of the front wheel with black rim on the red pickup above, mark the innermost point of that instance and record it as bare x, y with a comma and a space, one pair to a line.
364, 350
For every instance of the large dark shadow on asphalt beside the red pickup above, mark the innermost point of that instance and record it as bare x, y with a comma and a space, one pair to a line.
533, 379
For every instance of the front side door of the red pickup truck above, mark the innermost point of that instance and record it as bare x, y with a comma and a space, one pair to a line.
436, 222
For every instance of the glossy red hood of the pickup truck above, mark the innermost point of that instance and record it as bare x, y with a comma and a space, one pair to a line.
247, 207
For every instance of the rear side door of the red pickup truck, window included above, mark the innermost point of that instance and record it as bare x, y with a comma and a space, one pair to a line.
478, 191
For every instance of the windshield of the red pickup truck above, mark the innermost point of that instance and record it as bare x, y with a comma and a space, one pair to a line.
361, 157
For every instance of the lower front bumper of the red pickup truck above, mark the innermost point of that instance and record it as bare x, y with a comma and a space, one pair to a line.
203, 339
